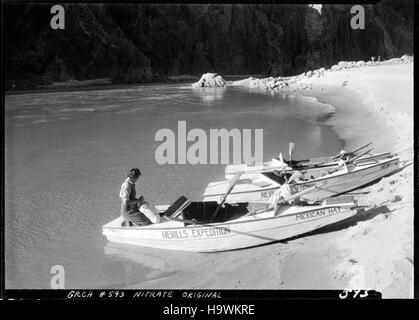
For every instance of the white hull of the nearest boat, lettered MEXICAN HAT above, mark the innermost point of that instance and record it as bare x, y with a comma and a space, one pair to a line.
244, 232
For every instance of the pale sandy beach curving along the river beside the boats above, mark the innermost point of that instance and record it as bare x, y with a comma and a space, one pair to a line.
373, 103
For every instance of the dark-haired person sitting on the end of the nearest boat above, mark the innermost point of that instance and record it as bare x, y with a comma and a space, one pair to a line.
135, 211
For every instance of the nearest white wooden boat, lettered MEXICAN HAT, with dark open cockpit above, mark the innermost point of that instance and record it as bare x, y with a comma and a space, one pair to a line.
187, 227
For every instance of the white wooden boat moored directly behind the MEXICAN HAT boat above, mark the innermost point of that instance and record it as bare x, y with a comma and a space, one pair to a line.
328, 182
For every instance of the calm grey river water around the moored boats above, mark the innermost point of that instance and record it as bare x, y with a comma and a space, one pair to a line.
67, 154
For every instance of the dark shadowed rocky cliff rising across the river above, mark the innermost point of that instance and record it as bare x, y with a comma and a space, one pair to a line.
144, 43
